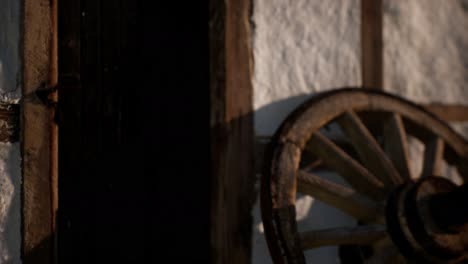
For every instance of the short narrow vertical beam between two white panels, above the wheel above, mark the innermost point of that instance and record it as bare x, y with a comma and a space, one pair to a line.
372, 44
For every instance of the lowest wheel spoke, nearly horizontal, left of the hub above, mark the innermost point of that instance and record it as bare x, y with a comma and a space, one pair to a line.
360, 235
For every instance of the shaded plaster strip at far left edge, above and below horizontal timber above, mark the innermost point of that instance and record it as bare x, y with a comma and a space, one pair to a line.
10, 173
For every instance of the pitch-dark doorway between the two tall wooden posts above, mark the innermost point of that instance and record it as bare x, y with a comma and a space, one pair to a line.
133, 132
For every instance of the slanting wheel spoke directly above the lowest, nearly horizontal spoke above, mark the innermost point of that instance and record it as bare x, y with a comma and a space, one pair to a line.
338, 196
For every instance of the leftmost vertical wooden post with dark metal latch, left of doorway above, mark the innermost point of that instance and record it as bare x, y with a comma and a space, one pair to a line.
38, 62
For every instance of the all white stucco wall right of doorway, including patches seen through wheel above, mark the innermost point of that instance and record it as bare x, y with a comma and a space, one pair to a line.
302, 47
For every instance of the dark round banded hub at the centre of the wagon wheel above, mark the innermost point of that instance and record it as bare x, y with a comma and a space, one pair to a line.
427, 222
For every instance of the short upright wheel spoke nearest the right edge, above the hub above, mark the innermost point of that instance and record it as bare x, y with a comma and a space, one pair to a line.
433, 157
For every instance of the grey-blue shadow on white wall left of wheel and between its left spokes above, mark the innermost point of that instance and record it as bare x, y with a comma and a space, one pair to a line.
310, 213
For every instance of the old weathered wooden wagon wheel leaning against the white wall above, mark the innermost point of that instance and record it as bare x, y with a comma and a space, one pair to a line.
379, 174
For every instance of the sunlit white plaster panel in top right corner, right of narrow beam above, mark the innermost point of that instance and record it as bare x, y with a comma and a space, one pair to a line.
425, 50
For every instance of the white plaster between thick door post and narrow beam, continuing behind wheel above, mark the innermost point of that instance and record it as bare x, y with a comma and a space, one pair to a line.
302, 47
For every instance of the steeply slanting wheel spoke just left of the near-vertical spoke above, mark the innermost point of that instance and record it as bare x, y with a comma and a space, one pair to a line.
372, 155
